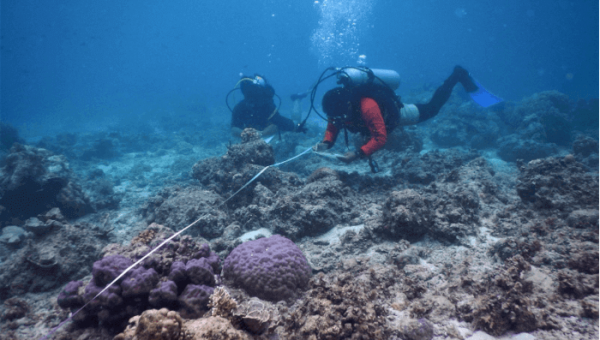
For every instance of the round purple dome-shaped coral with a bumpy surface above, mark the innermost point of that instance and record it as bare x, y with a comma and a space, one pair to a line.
272, 268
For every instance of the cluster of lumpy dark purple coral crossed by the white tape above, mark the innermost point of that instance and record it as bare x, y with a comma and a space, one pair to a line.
139, 288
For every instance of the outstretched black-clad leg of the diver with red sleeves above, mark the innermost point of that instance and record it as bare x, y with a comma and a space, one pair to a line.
441, 95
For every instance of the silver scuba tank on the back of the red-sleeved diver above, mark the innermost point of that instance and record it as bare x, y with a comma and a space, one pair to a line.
352, 76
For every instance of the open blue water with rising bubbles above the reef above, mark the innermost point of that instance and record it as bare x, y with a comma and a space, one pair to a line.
77, 66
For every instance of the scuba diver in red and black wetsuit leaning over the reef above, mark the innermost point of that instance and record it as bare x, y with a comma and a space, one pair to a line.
374, 111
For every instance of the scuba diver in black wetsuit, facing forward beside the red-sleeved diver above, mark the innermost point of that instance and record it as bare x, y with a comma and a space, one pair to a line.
258, 110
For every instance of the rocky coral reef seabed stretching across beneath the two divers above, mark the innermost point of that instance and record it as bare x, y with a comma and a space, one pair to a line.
440, 244
